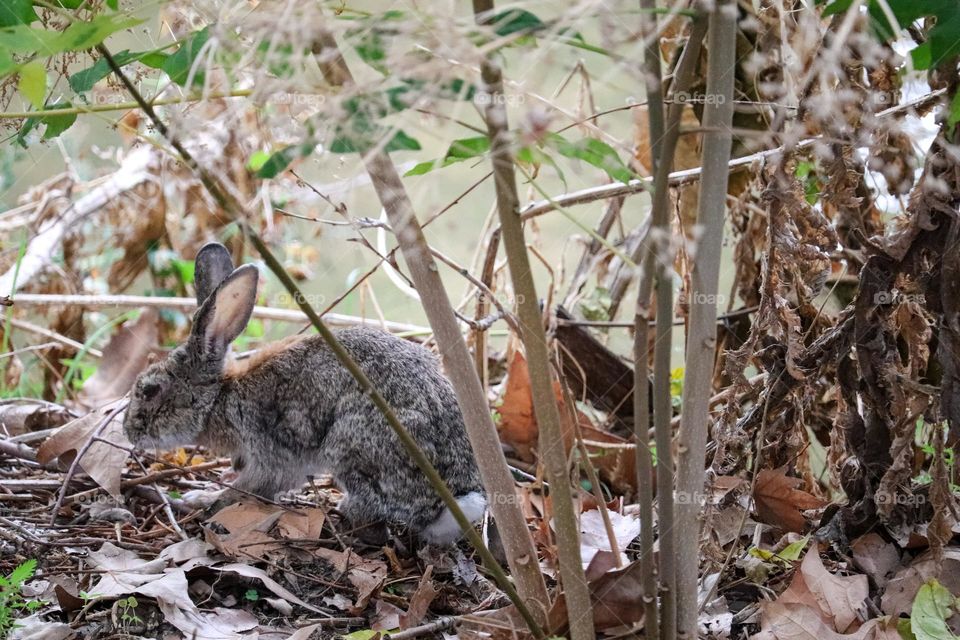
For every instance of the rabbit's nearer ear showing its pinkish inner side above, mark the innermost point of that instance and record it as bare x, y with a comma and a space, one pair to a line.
224, 315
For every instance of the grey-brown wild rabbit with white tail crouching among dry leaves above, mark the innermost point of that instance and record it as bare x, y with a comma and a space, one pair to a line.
293, 410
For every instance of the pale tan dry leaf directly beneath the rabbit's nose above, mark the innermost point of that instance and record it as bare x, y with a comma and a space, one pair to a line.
102, 462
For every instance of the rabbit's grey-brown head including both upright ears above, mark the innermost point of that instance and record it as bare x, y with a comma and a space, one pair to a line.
170, 401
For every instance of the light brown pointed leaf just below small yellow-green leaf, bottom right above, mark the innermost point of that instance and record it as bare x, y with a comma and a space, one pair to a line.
836, 599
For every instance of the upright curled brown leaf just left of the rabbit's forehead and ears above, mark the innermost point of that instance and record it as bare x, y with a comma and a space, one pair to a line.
124, 357
